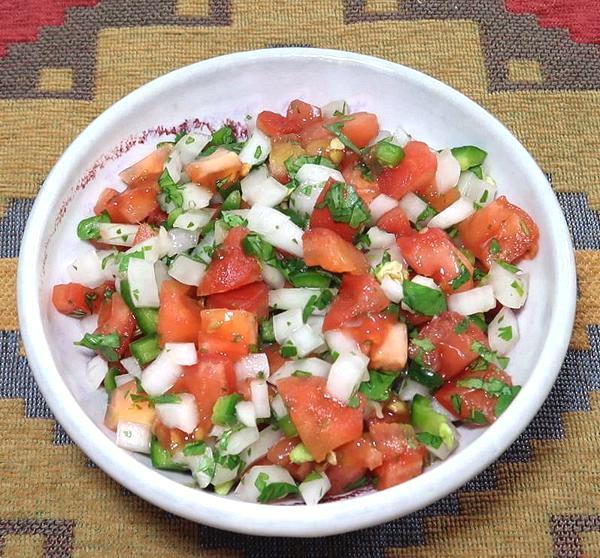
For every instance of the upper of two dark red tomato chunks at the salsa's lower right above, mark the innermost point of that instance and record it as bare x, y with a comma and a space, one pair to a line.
453, 351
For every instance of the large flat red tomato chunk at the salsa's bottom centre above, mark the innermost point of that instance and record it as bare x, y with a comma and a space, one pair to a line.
323, 423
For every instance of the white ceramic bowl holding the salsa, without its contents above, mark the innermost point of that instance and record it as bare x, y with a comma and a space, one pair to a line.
231, 87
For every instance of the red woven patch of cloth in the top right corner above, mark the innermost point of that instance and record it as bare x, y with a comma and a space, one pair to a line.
580, 17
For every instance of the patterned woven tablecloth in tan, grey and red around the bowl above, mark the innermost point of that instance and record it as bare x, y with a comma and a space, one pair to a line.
533, 63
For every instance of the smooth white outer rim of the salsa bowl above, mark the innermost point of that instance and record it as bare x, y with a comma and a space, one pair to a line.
276, 520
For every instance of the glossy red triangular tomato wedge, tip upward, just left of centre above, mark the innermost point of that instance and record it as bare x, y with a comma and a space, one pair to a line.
230, 267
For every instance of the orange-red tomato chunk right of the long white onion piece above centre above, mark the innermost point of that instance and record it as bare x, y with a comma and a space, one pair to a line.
325, 248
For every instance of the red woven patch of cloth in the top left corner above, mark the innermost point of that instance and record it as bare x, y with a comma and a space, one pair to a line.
21, 20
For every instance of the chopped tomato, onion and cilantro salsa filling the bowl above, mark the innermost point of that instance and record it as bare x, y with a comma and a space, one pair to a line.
306, 309
